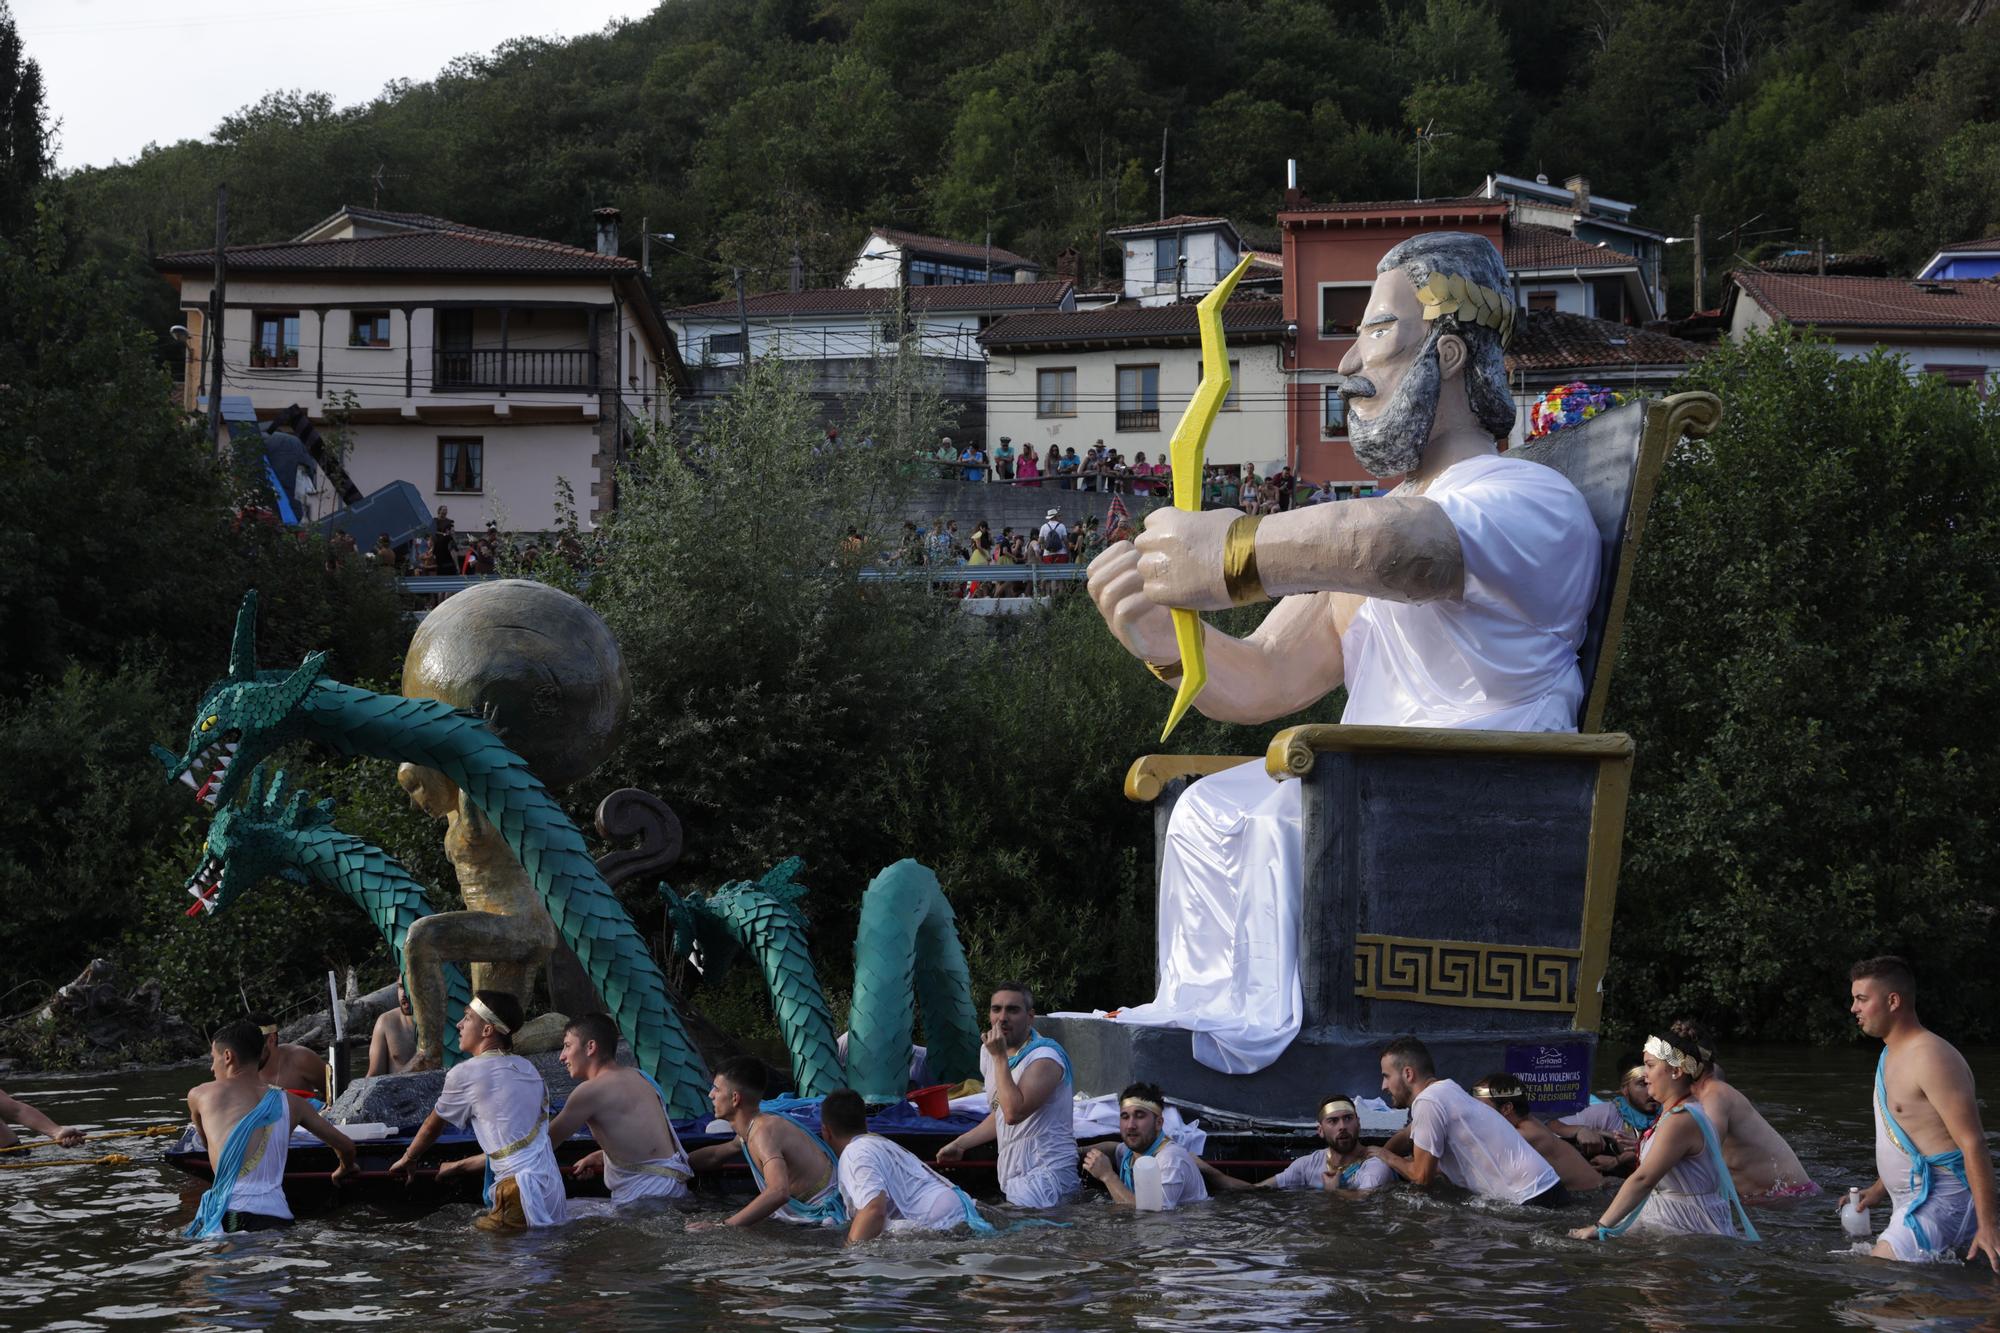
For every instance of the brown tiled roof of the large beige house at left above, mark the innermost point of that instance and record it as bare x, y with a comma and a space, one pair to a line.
433, 245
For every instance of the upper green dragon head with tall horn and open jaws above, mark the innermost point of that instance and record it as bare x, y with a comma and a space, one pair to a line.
243, 720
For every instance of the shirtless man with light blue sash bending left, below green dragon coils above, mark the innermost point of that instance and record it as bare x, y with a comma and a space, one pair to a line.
795, 1172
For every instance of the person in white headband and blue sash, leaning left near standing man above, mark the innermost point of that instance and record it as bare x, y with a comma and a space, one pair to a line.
1681, 1184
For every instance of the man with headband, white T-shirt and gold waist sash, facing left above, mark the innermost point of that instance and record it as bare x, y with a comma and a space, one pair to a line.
505, 1100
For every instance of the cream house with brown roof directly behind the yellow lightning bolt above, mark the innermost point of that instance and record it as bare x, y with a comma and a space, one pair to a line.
1127, 373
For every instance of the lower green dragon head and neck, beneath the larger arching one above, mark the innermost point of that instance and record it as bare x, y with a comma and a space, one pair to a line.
281, 832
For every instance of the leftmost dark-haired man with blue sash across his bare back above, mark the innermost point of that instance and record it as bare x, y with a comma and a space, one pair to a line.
247, 1126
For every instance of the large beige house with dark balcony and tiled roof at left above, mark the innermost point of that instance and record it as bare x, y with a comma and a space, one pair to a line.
481, 367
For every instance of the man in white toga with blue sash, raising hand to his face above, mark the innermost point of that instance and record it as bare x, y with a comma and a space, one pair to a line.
1031, 1088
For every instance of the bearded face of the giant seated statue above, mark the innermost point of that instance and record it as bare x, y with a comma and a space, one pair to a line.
1391, 379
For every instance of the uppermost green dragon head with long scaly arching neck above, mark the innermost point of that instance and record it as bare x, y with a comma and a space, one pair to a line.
251, 714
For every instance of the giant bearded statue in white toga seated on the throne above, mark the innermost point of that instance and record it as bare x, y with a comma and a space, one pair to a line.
1459, 599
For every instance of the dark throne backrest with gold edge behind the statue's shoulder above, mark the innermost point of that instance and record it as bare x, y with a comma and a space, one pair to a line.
1615, 461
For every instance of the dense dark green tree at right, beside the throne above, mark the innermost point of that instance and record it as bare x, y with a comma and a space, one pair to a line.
1809, 672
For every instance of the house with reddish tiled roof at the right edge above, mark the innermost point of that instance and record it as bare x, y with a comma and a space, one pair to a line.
1939, 327
